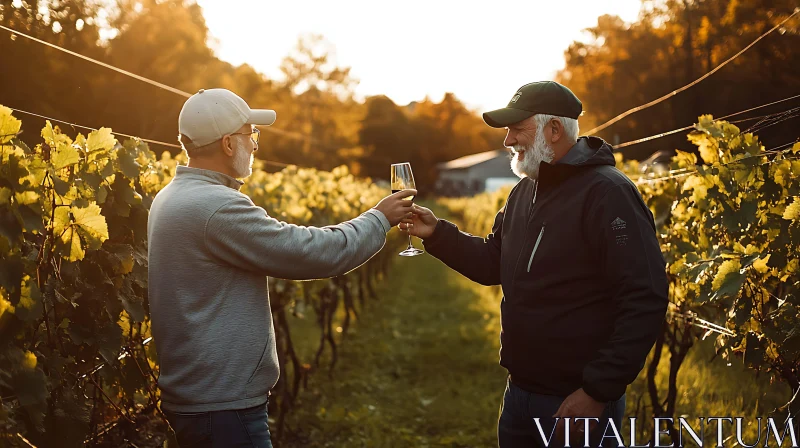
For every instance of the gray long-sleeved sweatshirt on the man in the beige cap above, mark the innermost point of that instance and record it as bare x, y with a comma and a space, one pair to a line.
210, 250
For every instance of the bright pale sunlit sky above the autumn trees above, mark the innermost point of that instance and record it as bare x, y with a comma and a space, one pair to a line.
481, 51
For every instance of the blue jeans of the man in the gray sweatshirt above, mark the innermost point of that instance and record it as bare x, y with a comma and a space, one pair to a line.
217, 429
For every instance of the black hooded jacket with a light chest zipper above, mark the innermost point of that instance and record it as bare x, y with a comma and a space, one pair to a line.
583, 277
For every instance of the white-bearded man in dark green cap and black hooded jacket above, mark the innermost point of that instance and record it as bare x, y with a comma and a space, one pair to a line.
584, 281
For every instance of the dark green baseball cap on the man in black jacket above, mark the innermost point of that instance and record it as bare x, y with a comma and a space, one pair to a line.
542, 97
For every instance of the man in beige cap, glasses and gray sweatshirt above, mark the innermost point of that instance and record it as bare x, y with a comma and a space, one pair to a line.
210, 251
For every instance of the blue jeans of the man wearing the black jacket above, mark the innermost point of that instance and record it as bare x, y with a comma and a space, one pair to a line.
516, 427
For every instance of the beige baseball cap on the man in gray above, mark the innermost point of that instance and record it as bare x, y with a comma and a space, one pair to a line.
210, 114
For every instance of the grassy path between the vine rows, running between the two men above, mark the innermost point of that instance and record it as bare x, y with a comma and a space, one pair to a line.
418, 369
